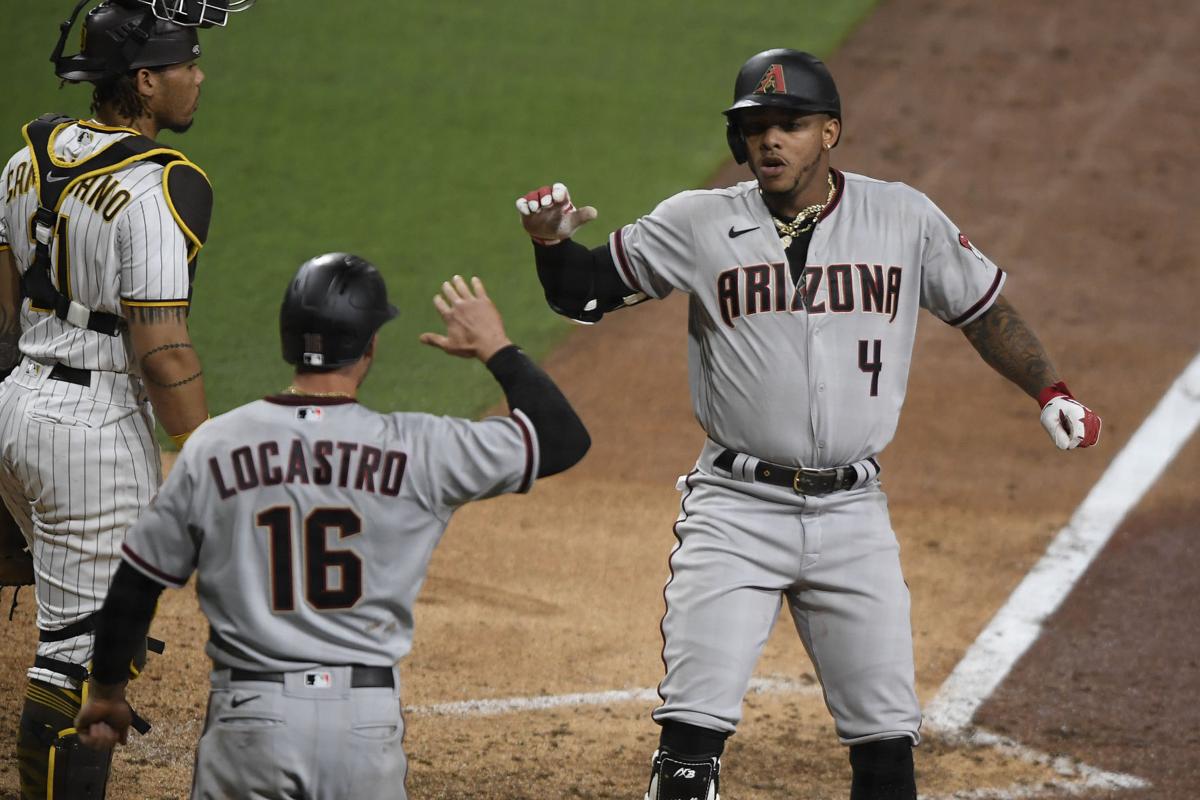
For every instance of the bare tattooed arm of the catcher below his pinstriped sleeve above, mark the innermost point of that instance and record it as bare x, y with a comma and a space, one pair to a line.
170, 366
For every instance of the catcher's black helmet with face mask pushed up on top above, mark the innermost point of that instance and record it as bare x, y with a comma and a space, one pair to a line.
123, 35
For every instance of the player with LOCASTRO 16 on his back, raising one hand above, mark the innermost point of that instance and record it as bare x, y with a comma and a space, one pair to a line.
325, 515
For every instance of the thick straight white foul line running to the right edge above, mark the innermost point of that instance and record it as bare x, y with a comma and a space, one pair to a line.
1017, 625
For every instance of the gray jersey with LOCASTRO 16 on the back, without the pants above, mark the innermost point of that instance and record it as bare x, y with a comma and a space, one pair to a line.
310, 524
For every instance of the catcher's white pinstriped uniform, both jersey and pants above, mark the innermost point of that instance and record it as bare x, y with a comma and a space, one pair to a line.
81, 459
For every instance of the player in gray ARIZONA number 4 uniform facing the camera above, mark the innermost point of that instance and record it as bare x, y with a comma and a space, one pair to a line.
805, 288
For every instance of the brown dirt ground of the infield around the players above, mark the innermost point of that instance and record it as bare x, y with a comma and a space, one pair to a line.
1061, 139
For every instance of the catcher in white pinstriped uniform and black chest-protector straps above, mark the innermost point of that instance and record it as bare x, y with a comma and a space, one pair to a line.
101, 227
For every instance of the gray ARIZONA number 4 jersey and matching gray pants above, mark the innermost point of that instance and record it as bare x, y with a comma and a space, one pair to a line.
806, 370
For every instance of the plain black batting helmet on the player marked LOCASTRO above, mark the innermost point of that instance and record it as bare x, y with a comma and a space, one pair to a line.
332, 310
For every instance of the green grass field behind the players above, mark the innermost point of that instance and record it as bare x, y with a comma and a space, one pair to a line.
405, 131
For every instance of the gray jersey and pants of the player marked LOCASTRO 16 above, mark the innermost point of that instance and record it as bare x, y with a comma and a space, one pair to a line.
310, 524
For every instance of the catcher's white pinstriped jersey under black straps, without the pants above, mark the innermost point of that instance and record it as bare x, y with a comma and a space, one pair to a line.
123, 243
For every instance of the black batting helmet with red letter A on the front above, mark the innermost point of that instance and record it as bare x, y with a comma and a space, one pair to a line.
781, 79
